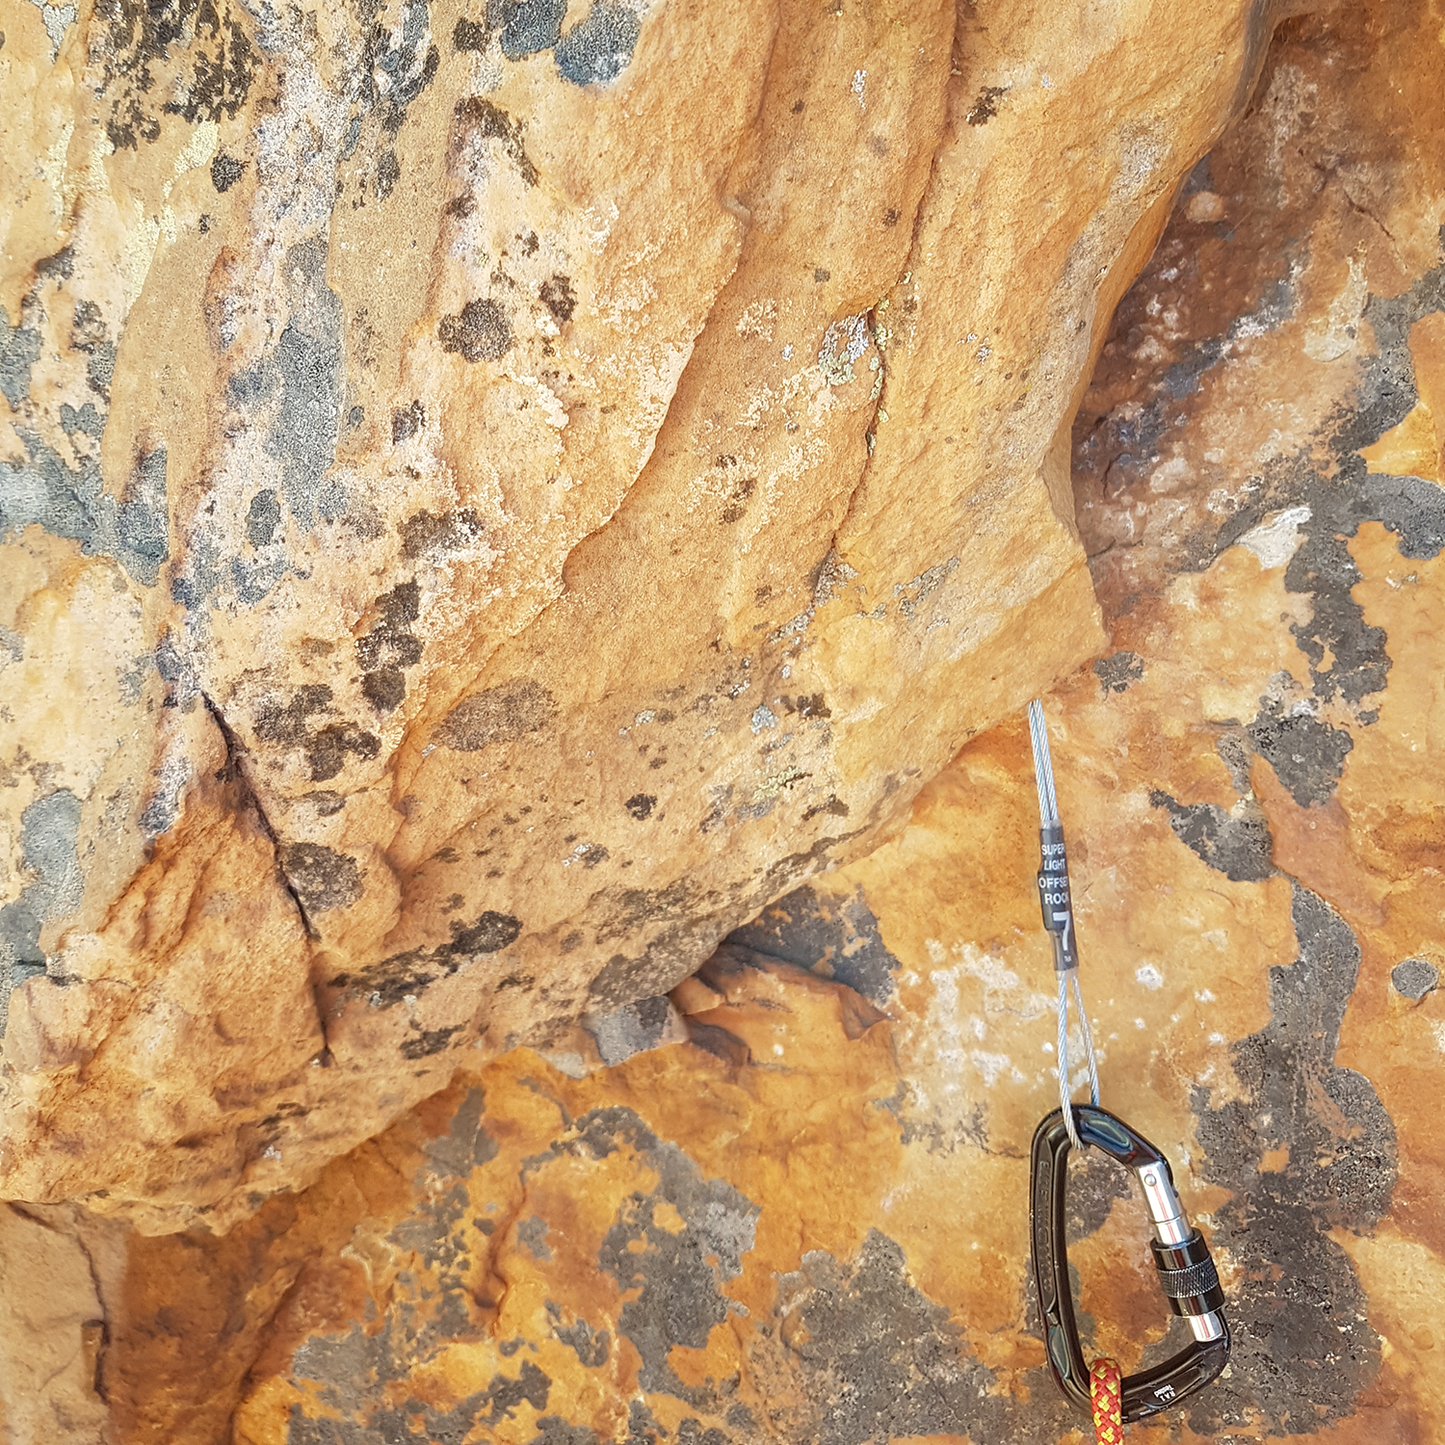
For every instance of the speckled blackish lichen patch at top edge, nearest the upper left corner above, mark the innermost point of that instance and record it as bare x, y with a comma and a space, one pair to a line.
207, 77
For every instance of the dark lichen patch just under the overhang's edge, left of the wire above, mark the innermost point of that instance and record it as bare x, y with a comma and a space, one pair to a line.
837, 939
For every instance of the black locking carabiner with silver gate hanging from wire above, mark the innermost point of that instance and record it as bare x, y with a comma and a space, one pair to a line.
1186, 1269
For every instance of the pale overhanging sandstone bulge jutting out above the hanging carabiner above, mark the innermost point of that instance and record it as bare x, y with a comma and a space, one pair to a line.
492, 501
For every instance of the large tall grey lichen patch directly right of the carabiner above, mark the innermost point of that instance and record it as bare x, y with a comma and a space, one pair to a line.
1300, 1320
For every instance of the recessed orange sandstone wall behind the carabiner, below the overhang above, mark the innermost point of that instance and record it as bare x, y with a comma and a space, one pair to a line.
788, 1202
